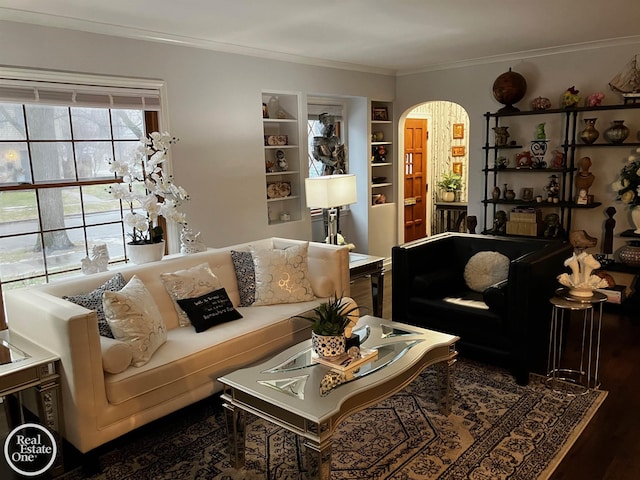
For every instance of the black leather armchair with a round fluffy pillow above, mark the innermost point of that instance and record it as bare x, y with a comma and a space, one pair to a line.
513, 331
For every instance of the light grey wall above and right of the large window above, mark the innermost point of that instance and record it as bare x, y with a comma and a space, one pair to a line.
214, 108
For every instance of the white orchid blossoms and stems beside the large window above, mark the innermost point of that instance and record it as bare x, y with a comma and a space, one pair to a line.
146, 187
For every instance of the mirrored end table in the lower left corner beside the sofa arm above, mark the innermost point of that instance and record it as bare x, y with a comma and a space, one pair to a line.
24, 365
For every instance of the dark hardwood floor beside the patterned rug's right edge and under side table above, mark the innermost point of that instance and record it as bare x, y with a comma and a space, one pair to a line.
609, 447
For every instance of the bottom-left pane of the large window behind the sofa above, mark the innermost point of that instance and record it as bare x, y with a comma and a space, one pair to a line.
19, 258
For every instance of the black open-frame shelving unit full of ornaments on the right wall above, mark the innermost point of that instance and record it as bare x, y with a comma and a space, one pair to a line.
566, 126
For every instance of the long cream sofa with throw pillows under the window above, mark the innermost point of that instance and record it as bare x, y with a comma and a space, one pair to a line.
100, 406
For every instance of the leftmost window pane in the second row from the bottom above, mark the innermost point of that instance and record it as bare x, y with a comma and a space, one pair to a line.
18, 212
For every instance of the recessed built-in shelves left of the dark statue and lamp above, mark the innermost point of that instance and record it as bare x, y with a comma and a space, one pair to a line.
281, 129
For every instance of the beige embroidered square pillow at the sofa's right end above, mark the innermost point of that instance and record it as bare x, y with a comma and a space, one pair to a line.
282, 275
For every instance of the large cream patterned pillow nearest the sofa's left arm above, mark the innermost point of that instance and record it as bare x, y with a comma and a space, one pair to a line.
134, 318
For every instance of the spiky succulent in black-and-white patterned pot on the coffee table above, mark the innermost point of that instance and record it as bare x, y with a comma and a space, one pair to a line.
332, 323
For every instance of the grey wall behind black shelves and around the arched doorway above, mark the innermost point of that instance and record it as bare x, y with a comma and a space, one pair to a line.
547, 76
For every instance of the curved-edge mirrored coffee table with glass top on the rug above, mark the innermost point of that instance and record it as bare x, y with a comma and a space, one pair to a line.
310, 399
